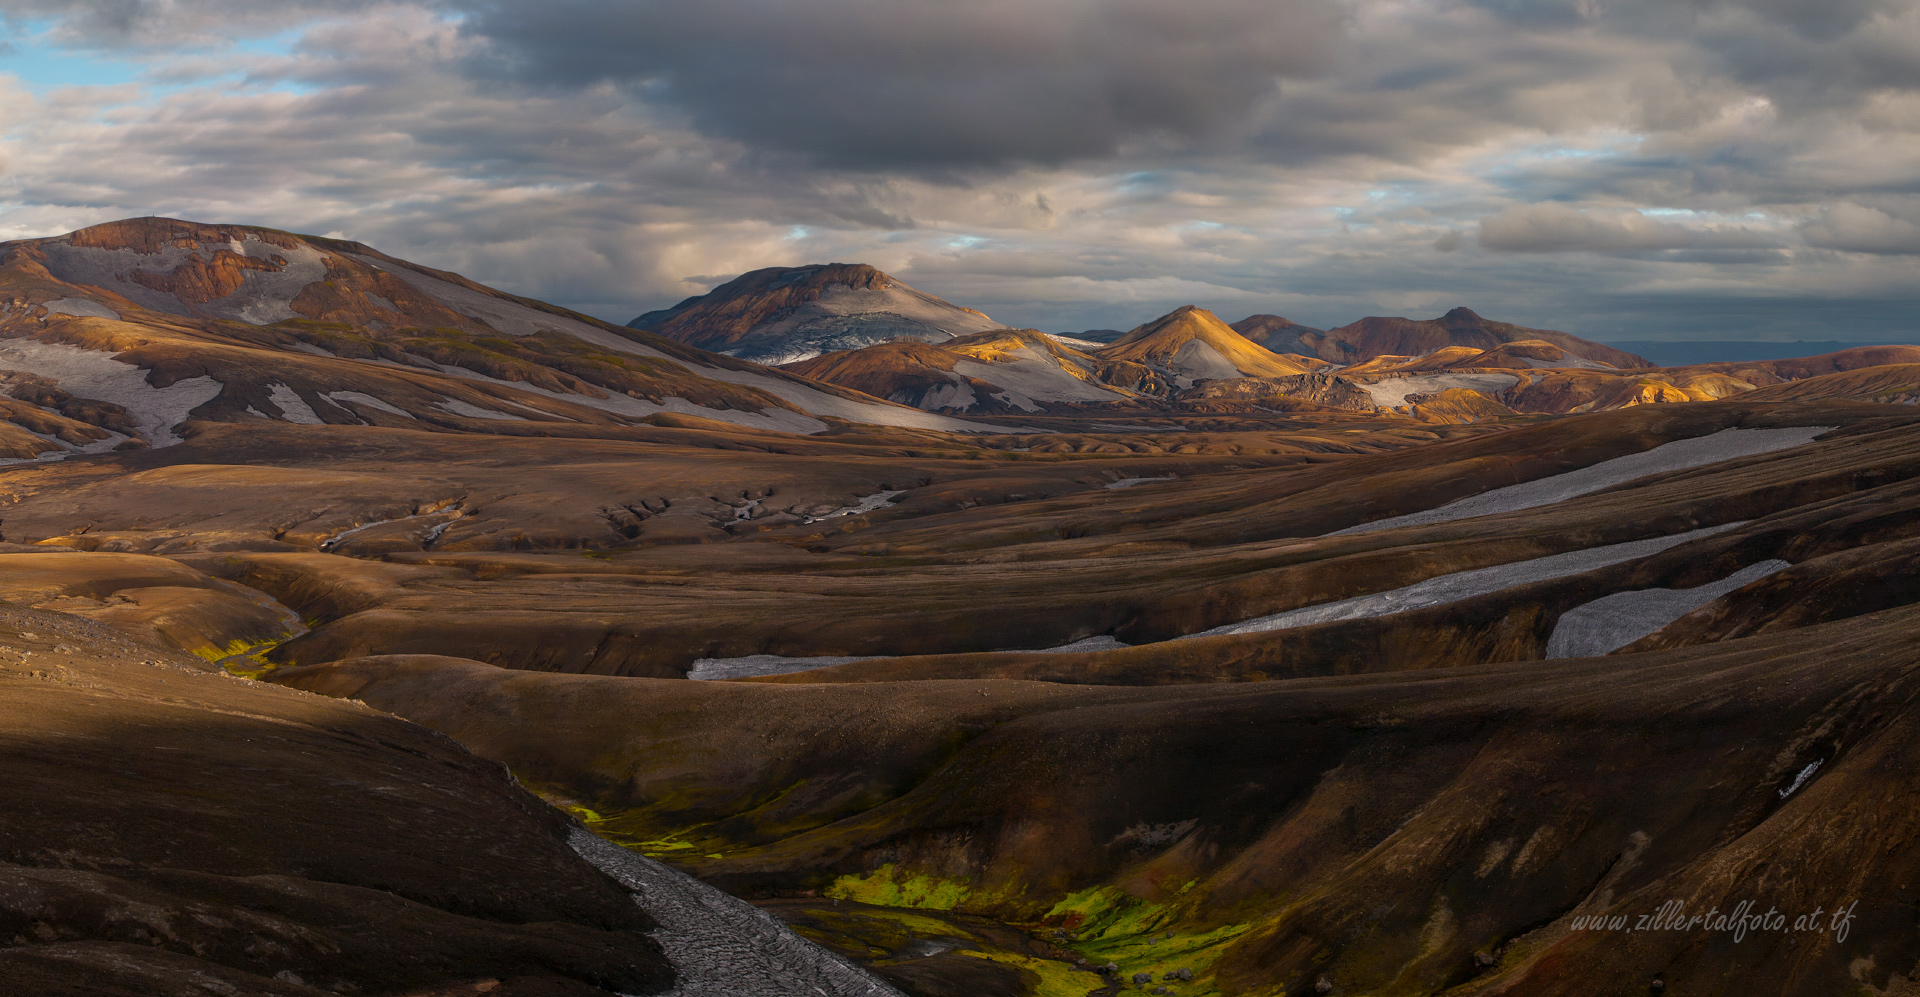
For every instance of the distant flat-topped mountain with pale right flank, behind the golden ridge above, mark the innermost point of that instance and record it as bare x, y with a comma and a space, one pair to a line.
792, 314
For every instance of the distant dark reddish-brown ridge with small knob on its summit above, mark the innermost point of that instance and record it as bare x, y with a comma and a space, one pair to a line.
1410, 337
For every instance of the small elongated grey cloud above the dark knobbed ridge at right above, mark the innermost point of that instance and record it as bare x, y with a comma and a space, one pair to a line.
1558, 230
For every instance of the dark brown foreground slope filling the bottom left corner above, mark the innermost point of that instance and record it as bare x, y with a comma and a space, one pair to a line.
176, 831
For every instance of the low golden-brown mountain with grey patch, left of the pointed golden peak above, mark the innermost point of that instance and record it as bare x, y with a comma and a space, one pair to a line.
1001, 372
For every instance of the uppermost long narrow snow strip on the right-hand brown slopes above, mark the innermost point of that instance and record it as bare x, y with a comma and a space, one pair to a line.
1677, 456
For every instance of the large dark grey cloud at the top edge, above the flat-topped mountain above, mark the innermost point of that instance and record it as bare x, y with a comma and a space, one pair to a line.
894, 84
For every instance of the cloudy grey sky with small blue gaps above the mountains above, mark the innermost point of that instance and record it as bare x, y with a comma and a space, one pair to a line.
1621, 170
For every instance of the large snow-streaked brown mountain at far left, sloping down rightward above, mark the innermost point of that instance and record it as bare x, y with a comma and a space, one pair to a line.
122, 333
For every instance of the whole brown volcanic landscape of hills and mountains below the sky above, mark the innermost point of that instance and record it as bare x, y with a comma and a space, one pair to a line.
1216, 660
